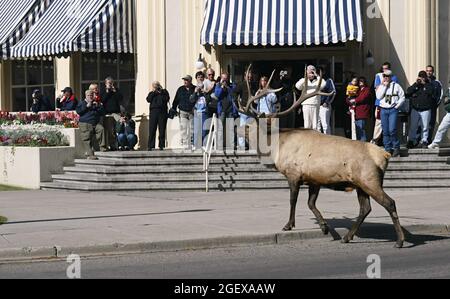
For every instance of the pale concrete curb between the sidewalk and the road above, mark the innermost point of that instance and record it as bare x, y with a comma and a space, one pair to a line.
57, 252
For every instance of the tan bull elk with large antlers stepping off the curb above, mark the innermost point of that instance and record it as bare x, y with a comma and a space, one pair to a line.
307, 157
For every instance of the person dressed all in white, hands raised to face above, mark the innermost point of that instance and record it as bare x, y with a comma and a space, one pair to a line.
311, 107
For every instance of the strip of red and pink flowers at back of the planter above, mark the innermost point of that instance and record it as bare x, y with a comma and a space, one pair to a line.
65, 119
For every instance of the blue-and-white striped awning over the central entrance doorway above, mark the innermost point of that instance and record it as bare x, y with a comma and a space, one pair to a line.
281, 22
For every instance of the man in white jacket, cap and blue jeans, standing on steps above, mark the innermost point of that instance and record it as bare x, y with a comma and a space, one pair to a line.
392, 97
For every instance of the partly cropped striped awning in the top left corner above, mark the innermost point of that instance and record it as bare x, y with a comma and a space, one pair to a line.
16, 19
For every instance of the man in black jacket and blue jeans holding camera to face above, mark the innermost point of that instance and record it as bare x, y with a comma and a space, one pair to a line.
421, 96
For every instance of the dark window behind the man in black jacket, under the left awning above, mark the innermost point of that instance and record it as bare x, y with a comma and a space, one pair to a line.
95, 67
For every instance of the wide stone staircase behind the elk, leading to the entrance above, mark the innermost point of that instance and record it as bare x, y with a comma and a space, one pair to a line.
171, 171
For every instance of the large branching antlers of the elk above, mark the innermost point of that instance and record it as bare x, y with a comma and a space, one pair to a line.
249, 109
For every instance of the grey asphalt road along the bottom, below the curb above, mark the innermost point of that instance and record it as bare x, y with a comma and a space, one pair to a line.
428, 258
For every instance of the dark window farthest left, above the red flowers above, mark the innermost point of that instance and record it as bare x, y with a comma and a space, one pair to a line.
28, 75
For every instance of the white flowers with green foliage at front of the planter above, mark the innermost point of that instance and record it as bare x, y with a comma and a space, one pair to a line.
33, 135
